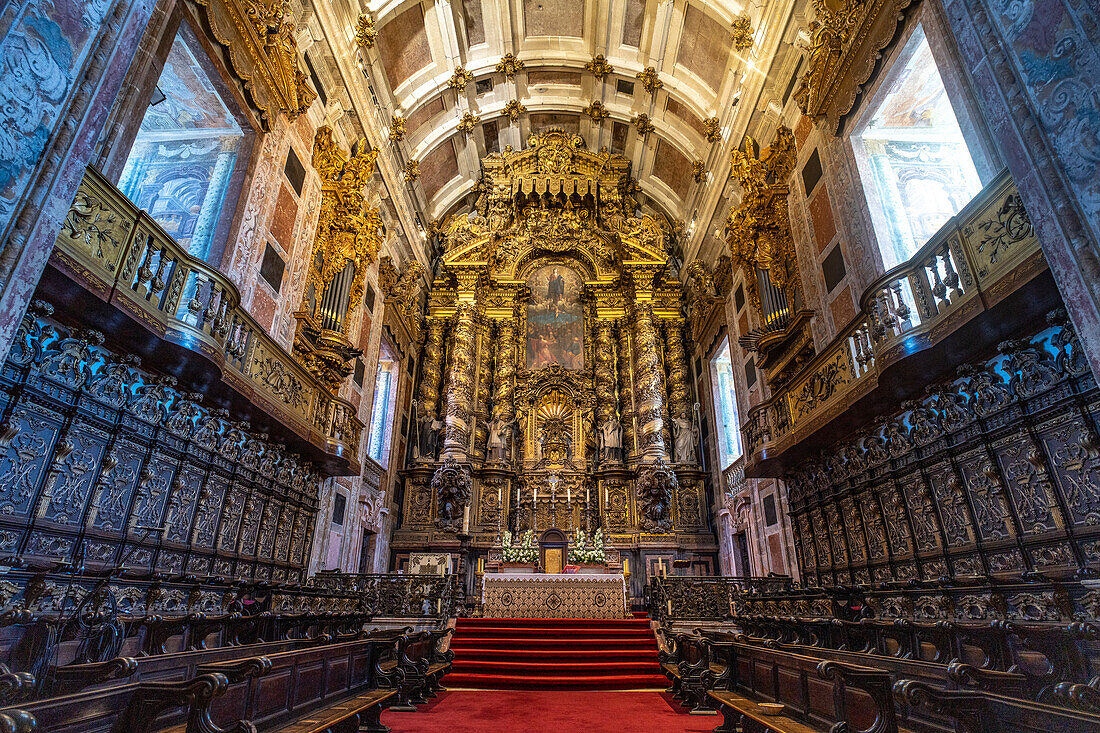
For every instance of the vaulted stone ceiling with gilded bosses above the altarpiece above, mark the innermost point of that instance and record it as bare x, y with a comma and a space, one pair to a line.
444, 68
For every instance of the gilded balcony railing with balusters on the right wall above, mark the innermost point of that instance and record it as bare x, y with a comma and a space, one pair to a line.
980, 257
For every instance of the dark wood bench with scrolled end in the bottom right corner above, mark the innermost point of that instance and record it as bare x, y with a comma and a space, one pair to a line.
984, 713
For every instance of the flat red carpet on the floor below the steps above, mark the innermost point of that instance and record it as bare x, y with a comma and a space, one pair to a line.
508, 712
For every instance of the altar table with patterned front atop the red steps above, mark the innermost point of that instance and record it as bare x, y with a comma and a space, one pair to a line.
548, 596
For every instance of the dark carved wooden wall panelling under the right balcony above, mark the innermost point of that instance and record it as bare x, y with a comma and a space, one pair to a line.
997, 472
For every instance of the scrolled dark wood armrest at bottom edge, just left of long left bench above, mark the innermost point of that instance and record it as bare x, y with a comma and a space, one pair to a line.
151, 699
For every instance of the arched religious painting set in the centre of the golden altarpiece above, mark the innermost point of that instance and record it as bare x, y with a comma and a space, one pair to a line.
555, 319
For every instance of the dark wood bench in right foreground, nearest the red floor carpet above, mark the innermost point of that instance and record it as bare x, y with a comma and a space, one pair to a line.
818, 695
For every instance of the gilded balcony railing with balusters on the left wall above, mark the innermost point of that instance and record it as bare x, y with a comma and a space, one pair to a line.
118, 251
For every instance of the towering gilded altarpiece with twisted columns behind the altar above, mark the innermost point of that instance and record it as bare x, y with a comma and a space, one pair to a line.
554, 382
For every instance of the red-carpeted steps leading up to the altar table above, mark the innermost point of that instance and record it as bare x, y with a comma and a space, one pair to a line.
555, 654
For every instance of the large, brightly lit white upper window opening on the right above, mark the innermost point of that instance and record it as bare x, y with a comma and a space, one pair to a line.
915, 165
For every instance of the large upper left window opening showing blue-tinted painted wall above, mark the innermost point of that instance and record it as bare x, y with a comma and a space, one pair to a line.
182, 163
